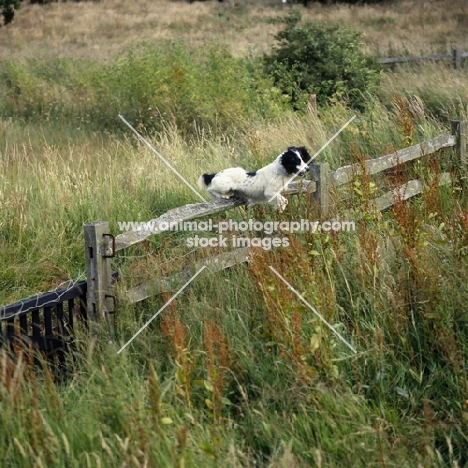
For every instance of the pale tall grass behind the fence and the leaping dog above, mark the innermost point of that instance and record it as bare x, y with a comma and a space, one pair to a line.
55, 179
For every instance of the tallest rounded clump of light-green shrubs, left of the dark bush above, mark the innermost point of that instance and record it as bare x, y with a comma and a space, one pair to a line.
176, 83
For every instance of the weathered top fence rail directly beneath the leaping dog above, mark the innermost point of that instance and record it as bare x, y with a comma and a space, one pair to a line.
190, 212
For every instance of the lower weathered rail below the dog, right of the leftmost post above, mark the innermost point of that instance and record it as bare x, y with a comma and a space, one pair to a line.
220, 262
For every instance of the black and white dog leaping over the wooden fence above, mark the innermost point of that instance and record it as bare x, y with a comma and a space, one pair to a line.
261, 186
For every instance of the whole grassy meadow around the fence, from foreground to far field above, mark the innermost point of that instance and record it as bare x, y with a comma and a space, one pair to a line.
236, 371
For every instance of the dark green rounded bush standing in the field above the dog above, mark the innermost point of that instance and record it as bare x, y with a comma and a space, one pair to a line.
320, 59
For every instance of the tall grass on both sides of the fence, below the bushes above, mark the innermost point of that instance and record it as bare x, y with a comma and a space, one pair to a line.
237, 371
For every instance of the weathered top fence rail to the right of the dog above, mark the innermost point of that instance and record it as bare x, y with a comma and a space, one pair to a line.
345, 174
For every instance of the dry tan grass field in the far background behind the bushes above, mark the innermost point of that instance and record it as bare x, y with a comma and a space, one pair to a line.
100, 29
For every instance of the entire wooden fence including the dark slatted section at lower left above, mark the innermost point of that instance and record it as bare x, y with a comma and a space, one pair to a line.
47, 321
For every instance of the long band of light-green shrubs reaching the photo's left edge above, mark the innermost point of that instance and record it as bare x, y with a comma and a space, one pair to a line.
150, 85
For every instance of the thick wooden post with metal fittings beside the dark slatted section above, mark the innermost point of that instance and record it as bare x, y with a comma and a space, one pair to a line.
98, 251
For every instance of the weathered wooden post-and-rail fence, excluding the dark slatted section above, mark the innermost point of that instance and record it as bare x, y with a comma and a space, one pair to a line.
101, 246
